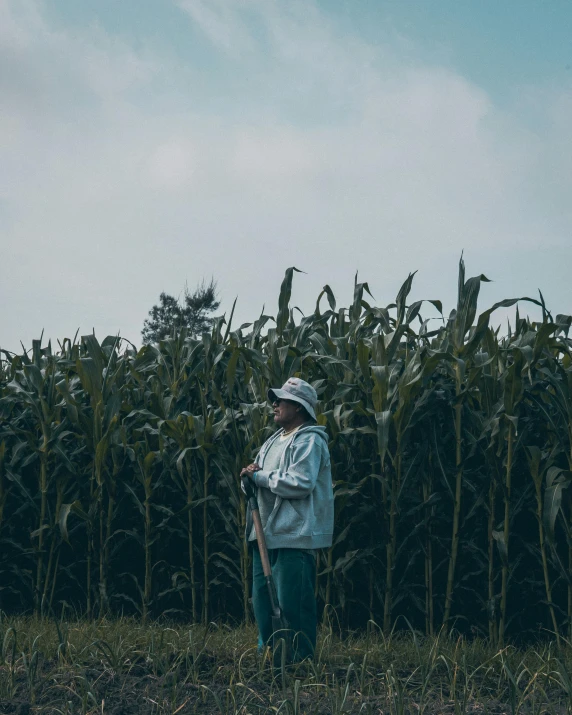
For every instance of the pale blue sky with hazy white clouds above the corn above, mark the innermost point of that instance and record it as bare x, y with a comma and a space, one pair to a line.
148, 144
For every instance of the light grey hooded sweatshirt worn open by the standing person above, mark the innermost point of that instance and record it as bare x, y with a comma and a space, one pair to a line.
303, 513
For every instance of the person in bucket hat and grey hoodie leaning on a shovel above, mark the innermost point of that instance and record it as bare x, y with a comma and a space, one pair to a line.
295, 498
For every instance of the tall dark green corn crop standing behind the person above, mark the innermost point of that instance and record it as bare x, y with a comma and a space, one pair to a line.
451, 455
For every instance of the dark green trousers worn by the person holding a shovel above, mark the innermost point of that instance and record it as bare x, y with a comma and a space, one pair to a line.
294, 573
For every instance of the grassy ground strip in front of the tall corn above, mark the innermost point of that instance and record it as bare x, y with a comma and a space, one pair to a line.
121, 667
